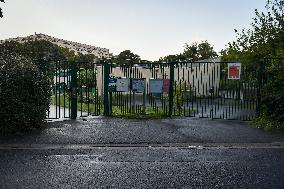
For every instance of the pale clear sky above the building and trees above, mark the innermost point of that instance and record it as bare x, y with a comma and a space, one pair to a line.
149, 28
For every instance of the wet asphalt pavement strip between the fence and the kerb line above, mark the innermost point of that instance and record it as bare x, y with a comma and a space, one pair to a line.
130, 131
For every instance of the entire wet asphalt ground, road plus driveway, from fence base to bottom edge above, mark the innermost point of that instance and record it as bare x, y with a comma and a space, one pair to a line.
119, 153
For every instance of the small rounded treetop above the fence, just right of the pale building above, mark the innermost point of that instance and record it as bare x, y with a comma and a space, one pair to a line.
126, 56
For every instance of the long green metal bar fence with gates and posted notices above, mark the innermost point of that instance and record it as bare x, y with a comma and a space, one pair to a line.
193, 89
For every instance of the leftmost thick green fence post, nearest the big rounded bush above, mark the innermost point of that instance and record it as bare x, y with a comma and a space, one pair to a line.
73, 85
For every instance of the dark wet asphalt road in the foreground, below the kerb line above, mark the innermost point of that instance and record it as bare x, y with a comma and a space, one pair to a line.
143, 167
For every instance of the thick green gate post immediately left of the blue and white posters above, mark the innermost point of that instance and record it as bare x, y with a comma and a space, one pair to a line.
106, 91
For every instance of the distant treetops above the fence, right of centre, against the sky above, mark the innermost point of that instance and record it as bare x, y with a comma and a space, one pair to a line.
193, 52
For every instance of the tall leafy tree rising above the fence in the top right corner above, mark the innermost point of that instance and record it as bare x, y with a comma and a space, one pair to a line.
265, 38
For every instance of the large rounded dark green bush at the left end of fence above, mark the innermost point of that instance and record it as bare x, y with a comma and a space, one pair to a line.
24, 94
